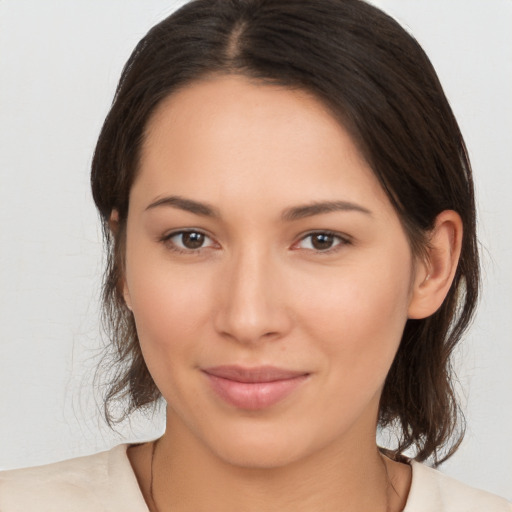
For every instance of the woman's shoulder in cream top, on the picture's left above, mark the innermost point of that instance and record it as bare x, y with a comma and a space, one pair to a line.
99, 482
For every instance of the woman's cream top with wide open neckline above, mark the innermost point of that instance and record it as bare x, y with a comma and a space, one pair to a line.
106, 482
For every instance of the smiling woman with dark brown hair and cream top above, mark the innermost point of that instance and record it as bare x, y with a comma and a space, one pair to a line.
289, 214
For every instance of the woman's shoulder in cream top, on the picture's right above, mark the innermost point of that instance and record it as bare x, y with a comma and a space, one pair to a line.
432, 491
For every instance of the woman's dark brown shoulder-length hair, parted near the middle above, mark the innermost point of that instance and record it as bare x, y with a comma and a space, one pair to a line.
375, 78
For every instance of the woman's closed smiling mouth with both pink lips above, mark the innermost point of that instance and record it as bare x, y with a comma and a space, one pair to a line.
254, 388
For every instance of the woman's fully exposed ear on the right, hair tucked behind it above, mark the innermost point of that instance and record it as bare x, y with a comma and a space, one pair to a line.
434, 274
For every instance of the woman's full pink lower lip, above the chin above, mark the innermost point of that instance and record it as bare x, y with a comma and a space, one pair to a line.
254, 395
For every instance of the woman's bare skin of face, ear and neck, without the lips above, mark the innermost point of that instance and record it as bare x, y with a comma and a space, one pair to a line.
258, 292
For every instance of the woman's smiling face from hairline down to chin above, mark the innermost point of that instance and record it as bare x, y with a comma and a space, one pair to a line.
269, 276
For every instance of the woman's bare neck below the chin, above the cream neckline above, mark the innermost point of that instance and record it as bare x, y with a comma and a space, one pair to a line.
187, 476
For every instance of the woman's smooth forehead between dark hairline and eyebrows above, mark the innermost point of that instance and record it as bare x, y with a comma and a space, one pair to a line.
227, 137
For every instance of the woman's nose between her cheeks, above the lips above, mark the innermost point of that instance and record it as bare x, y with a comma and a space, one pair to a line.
252, 304
